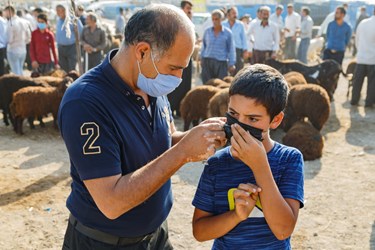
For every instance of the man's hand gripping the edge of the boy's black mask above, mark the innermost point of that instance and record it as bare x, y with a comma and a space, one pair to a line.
201, 141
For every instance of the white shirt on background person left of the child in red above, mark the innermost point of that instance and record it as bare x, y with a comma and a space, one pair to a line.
18, 35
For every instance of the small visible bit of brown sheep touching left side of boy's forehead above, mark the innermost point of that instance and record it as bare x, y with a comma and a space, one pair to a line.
218, 104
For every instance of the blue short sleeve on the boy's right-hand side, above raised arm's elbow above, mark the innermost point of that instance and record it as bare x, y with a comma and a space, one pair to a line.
292, 180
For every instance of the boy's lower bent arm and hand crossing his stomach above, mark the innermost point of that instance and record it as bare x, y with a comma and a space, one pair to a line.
207, 226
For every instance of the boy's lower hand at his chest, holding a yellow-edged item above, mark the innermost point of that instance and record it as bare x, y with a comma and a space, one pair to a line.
245, 198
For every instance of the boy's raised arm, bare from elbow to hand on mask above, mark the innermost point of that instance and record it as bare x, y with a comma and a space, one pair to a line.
281, 214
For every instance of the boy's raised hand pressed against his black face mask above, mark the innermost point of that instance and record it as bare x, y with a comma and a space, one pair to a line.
246, 148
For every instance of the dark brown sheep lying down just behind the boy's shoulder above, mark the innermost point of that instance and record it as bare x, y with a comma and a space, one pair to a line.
306, 138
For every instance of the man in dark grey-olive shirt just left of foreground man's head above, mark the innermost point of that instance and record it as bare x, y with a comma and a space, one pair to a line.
93, 41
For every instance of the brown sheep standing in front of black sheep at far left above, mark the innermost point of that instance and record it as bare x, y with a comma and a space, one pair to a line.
37, 102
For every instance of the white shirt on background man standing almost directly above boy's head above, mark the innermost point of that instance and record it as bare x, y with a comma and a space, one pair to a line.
264, 38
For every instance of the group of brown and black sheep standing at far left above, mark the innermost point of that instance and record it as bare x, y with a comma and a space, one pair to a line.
29, 98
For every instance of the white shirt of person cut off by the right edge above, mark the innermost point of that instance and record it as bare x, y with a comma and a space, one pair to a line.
365, 41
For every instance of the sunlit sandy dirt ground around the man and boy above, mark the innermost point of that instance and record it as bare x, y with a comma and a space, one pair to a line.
339, 188
